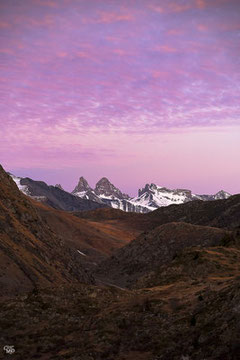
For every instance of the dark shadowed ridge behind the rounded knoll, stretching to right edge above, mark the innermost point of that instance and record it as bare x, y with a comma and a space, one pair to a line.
218, 213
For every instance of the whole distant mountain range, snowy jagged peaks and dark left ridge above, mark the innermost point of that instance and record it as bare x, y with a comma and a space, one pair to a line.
105, 194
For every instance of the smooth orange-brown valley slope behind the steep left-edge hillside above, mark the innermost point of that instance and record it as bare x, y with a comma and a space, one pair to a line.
96, 239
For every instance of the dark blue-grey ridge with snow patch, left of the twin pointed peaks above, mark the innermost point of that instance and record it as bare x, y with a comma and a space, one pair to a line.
55, 196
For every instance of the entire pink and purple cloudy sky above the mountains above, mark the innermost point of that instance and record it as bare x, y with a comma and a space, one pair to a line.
138, 91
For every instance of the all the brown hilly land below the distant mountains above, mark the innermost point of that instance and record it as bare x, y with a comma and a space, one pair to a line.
170, 281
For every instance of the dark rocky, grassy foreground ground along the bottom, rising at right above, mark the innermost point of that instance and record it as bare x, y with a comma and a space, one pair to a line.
192, 312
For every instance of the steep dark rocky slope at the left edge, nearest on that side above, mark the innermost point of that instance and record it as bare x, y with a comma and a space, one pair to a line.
31, 254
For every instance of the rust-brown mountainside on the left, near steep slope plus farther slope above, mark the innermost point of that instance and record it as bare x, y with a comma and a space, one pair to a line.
42, 246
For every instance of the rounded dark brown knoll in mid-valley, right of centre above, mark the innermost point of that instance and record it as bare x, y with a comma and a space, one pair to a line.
155, 248
